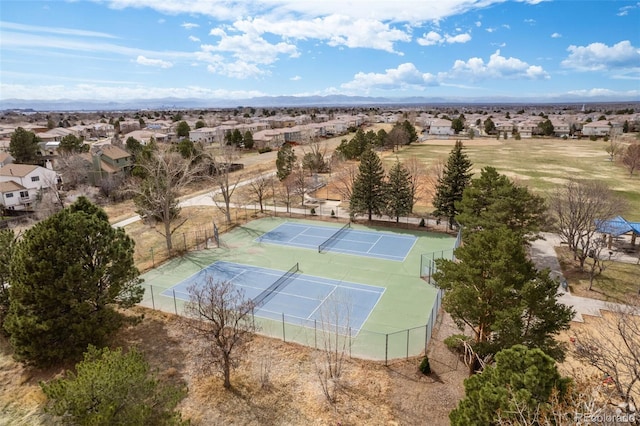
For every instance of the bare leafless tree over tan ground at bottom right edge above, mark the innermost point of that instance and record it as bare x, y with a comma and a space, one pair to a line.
614, 349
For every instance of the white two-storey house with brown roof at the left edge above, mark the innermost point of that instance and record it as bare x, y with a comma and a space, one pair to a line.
21, 183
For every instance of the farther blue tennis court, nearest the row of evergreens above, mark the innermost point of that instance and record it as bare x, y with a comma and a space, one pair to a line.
381, 245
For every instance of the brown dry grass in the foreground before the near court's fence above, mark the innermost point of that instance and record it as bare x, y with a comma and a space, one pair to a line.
372, 394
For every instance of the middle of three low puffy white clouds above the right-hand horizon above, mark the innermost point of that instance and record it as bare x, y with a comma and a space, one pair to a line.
497, 67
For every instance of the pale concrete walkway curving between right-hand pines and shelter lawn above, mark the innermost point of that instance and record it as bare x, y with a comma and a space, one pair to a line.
544, 256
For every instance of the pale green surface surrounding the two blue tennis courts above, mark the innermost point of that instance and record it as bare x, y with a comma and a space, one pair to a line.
397, 325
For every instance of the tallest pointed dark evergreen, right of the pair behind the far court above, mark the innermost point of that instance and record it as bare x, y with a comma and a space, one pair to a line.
455, 178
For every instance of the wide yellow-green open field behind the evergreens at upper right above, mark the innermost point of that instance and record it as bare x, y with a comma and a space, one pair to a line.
541, 164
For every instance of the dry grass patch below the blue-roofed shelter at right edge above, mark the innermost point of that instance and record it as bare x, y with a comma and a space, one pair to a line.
619, 282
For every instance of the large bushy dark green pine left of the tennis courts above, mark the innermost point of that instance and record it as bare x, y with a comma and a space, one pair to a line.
68, 274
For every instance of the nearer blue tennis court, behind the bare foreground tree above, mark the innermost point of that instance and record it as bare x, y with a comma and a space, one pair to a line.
303, 298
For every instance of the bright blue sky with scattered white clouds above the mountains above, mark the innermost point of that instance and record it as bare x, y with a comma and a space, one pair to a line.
145, 49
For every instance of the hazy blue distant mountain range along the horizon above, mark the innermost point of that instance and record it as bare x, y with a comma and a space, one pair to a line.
283, 102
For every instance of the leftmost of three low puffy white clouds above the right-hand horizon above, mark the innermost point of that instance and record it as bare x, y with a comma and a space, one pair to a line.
405, 77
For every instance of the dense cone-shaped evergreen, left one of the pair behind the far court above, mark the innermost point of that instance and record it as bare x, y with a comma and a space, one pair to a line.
368, 194
